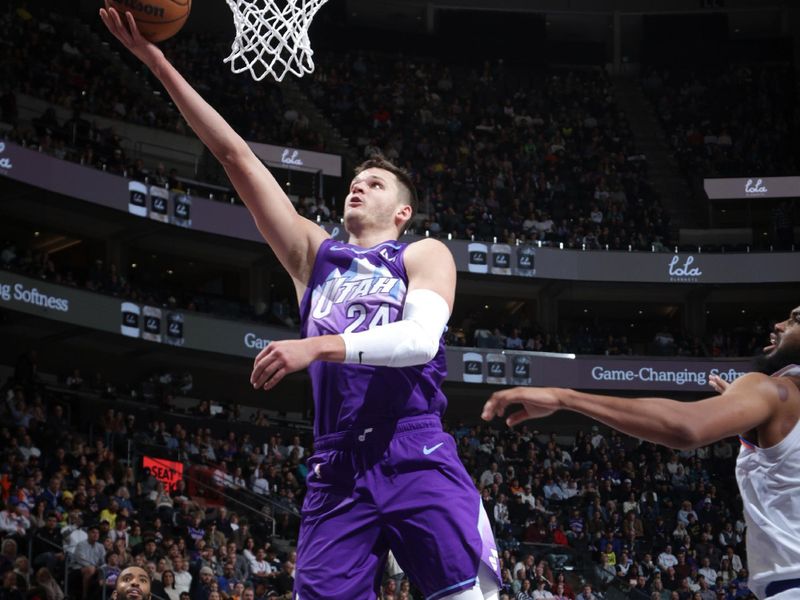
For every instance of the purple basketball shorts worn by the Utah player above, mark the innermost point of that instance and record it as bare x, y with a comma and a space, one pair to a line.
400, 488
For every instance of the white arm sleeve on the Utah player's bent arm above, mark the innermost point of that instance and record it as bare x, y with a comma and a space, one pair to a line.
414, 340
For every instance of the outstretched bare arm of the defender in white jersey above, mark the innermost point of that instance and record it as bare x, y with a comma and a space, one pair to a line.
754, 401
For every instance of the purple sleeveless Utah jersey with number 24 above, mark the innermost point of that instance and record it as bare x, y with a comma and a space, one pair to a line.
354, 289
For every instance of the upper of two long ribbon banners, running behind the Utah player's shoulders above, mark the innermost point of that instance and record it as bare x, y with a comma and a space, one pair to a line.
480, 258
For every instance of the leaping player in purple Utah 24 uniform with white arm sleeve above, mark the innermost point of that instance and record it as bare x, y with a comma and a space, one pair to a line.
384, 475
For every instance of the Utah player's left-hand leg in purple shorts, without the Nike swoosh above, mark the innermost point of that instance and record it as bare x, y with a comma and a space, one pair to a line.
340, 551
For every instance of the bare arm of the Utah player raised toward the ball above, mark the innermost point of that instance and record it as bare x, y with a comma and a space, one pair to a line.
293, 239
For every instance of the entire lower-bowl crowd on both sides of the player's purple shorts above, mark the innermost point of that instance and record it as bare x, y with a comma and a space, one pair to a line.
653, 523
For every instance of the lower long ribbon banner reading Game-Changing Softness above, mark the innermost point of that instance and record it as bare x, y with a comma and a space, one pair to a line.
469, 365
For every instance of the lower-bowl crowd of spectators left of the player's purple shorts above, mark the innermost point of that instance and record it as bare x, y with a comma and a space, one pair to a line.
76, 511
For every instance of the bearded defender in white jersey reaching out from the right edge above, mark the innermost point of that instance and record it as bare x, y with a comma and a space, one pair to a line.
763, 407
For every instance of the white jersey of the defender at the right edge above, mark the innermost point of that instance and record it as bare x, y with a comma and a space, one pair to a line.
769, 481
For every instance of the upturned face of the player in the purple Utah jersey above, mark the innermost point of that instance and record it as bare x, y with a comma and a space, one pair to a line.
375, 198
